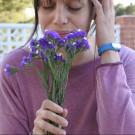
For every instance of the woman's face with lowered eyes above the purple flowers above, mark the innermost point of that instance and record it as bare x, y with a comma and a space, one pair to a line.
64, 16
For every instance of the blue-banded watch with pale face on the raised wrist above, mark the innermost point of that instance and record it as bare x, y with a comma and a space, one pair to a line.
109, 46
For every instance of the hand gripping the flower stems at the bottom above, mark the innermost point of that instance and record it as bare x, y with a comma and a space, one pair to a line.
48, 111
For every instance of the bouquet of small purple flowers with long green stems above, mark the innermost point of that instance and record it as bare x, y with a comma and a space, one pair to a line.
57, 55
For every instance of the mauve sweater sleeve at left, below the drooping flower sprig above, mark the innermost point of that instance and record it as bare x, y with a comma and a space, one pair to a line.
13, 117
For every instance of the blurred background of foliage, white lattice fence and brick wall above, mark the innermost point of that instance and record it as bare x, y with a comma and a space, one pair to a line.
17, 17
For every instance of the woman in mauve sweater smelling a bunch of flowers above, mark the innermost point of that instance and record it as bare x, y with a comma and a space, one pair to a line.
100, 93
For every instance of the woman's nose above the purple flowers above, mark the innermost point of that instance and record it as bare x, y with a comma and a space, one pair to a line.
60, 16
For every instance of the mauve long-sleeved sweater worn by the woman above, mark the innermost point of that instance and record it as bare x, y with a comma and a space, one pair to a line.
100, 98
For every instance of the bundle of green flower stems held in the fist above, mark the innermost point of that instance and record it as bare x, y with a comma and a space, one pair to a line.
58, 87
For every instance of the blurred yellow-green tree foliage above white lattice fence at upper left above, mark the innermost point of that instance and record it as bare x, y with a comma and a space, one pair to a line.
13, 10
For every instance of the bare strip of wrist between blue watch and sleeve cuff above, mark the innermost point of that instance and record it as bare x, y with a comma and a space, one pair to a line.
110, 56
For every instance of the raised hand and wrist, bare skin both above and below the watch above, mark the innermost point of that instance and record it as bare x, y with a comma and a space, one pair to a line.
105, 20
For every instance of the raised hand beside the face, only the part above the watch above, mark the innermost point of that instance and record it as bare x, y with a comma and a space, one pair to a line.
105, 20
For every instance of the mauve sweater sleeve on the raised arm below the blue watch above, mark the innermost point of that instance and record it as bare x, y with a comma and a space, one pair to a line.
115, 93
